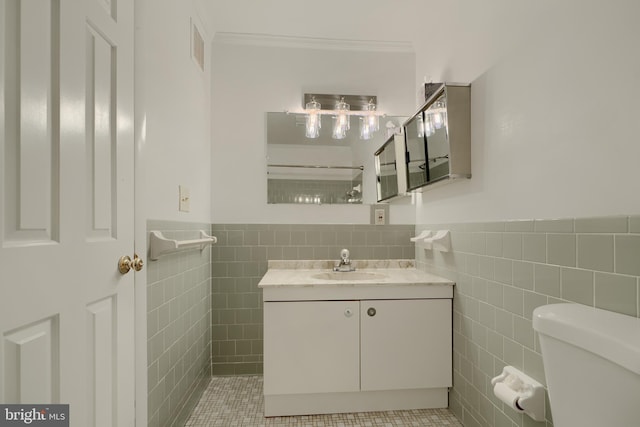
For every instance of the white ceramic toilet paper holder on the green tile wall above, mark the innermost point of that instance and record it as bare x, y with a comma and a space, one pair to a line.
520, 392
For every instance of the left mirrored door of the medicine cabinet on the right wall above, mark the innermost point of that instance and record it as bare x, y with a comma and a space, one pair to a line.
416, 146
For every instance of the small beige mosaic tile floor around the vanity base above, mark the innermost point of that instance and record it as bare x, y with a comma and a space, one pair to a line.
237, 401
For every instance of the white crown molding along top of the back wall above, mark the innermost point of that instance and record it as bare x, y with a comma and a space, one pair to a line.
268, 40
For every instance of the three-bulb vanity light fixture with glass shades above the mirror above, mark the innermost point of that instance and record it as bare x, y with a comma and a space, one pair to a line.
344, 106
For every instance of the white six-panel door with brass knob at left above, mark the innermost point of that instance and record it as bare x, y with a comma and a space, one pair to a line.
66, 207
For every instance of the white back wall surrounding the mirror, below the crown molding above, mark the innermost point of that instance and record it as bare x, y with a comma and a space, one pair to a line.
250, 80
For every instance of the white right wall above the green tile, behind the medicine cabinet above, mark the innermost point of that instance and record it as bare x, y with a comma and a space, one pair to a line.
555, 128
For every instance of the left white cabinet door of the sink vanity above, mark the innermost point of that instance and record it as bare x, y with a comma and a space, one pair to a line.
311, 347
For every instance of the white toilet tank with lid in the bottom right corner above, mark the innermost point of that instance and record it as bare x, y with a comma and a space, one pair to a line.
591, 360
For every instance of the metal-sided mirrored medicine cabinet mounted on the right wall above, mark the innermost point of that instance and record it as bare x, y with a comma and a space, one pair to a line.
438, 137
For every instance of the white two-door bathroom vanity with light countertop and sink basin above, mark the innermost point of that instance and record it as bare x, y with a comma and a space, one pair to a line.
380, 343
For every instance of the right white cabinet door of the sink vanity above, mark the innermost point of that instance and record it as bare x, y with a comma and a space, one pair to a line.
406, 344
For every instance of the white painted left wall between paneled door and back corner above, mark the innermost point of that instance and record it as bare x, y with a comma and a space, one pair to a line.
173, 103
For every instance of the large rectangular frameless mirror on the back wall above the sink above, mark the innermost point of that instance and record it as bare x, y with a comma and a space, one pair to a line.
321, 170
